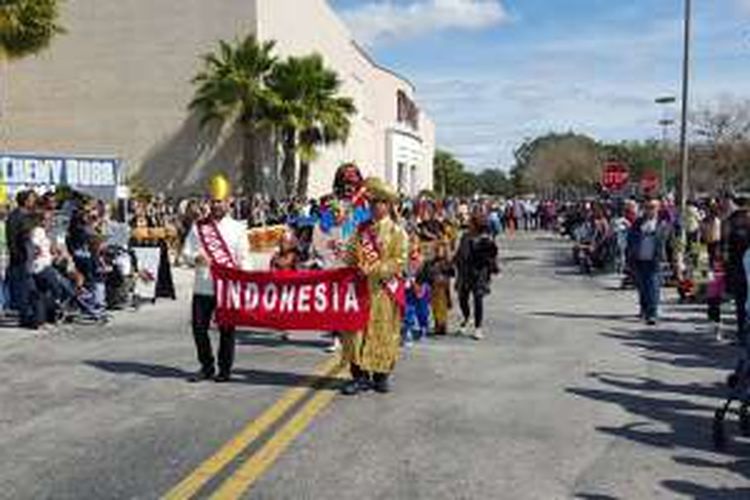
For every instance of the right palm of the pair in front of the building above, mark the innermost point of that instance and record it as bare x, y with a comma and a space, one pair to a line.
309, 112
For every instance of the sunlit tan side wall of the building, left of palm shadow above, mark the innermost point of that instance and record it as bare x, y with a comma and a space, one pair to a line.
119, 81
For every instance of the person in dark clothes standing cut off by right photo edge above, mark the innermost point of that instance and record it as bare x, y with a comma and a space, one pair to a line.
736, 243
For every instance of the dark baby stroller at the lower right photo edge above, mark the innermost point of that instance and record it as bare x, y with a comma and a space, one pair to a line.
739, 391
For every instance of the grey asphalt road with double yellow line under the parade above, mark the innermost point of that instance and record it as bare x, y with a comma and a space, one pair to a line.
568, 397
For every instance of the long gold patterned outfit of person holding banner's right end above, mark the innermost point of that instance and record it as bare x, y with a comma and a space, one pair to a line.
376, 349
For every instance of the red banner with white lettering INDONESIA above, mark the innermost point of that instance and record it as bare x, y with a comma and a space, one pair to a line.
335, 300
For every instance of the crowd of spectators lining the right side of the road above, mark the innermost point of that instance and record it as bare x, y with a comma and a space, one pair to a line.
643, 242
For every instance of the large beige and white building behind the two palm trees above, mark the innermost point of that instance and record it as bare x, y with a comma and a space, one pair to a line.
119, 82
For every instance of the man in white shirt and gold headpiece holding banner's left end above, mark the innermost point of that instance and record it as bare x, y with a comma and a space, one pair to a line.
235, 242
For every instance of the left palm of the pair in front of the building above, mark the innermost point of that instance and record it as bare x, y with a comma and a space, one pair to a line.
231, 89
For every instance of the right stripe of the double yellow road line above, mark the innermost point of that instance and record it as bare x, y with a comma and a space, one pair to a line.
249, 472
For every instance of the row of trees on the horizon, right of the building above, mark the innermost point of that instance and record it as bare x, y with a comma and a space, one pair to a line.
556, 164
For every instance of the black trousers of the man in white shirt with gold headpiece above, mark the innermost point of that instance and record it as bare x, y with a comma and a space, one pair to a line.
203, 311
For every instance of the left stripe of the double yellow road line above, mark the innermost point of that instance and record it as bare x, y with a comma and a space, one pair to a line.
206, 471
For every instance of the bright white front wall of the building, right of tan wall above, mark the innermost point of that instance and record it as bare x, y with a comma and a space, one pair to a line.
312, 26
